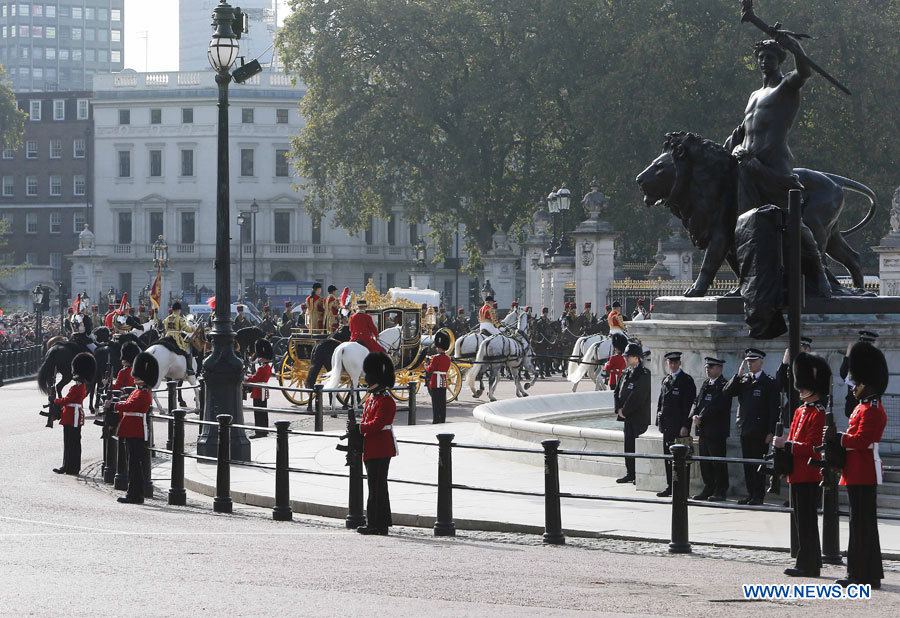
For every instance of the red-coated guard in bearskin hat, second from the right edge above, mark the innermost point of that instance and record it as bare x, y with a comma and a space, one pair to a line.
812, 379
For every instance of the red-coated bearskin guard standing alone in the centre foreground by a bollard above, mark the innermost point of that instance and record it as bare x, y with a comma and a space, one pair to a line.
379, 443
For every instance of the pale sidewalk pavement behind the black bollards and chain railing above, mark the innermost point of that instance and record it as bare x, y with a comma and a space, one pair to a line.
416, 505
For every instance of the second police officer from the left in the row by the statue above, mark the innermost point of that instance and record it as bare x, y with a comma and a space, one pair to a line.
673, 410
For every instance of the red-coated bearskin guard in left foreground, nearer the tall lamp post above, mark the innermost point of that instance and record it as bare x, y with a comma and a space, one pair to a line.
133, 425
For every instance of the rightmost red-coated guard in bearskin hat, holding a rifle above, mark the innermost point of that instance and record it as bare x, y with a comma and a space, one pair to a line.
862, 472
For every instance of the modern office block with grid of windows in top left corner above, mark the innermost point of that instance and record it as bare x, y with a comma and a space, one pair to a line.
60, 44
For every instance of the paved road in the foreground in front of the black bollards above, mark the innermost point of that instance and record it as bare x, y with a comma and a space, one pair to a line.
68, 548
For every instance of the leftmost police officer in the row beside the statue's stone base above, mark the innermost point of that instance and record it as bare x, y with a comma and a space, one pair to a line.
632, 402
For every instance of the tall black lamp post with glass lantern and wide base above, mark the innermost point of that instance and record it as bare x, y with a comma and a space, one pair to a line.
222, 369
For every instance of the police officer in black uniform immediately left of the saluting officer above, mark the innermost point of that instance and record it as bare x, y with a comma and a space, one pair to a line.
712, 416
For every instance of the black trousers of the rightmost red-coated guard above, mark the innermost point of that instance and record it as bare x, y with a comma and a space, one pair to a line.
864, 548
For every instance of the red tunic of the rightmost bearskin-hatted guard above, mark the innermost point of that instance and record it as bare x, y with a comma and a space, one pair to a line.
866, 426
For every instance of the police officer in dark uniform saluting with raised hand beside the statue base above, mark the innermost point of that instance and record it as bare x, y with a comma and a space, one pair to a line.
759, 405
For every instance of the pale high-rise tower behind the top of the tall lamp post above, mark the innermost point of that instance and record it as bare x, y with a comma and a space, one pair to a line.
194, 23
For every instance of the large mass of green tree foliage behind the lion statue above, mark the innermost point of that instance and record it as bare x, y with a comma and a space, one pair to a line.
468, 111
